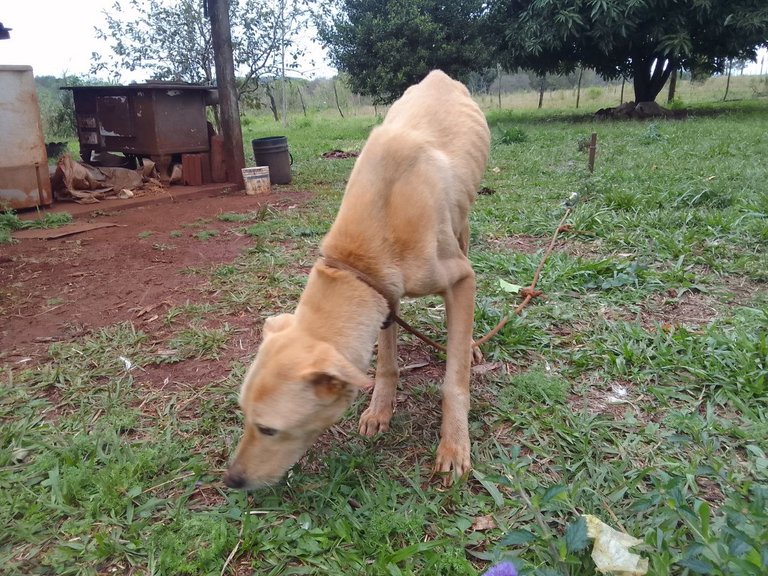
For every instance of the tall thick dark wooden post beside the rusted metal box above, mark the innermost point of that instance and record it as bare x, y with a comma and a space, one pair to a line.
218, 11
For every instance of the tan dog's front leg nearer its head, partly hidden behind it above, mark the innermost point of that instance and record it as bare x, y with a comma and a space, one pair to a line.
378, 414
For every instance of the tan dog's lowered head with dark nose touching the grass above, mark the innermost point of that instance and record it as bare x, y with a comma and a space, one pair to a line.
296, 388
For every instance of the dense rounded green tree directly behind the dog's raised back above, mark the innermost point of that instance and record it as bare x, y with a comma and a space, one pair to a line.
387, 45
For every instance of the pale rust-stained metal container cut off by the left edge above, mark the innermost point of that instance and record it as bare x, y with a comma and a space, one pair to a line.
24, 180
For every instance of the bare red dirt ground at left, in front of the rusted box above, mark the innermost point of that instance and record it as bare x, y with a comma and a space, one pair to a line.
57, 289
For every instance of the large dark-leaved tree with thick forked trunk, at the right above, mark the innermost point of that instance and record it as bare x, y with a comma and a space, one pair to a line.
644, 40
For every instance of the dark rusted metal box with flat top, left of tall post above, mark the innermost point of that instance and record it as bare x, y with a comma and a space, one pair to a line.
154, 119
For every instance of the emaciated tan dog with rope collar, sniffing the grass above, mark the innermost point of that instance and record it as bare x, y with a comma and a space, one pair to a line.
402, 230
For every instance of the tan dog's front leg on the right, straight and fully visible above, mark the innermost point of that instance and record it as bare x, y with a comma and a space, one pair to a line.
453, 453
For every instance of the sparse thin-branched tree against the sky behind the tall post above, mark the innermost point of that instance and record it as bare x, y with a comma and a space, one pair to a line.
171, 39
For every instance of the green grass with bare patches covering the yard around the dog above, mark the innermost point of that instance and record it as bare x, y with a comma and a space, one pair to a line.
634, 390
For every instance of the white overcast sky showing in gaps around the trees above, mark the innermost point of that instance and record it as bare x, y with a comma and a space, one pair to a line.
57, 38
